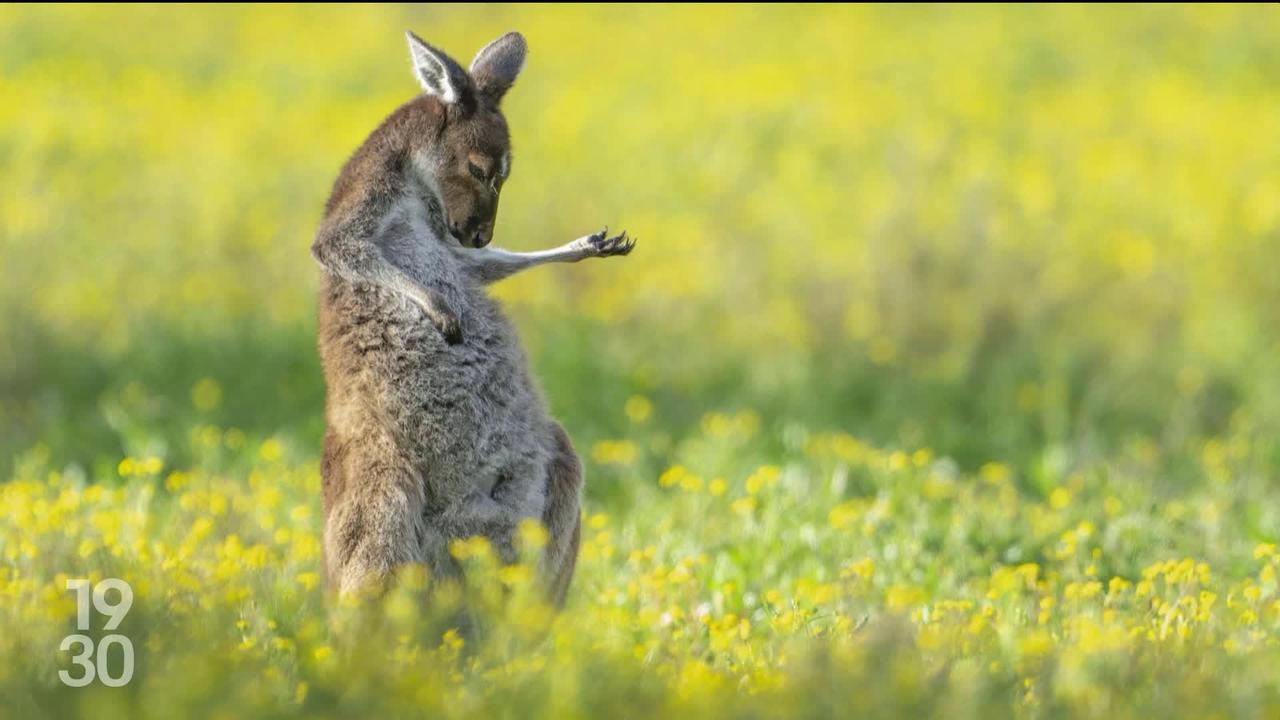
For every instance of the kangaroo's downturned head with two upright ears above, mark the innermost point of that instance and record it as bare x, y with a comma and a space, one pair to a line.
472, 157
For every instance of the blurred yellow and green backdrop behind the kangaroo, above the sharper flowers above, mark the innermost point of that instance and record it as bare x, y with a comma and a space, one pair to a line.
1040, 235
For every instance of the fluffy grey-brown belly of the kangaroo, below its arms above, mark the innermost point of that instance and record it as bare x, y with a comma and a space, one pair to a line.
468, 417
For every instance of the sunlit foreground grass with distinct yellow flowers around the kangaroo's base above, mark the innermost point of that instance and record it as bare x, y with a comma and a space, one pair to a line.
844, 576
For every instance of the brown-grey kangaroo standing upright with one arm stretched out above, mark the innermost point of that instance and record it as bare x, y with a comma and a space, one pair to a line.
436, 430
